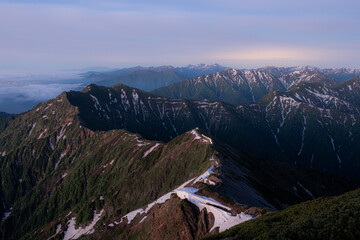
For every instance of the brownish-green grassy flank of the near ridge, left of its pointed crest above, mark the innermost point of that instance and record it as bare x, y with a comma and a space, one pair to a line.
128, 183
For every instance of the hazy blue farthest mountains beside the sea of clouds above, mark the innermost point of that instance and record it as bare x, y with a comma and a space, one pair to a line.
149, 78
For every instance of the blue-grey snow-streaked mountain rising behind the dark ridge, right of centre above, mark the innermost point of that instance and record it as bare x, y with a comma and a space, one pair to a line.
237, 86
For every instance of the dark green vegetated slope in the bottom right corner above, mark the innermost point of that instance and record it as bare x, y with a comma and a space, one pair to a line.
323, 218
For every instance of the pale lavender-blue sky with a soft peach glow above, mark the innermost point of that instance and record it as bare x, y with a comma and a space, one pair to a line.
51, 35
